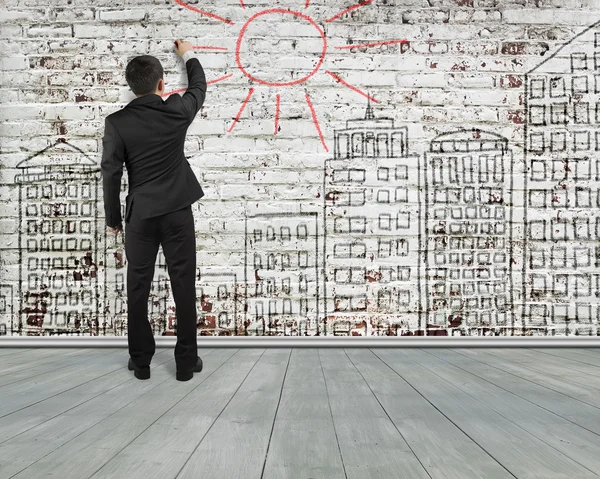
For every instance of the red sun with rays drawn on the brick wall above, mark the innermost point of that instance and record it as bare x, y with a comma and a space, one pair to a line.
252, 72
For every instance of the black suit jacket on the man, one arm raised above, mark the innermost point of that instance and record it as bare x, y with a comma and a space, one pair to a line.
147, 136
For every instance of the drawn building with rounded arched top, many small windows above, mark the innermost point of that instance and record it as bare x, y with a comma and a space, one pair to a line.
467, 259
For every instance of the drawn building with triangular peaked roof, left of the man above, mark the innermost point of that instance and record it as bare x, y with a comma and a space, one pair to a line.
59, 248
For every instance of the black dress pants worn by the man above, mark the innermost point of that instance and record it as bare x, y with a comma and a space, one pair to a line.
176, 233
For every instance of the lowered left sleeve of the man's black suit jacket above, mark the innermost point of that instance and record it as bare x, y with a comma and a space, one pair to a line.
113, 157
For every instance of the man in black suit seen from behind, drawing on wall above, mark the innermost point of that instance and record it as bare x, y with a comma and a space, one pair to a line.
147, 136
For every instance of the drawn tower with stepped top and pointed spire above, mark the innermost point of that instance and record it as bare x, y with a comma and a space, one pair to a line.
371, 224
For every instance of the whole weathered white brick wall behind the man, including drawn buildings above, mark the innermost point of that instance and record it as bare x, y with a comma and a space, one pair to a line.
462, 200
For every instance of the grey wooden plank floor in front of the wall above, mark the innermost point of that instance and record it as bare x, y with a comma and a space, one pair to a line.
303, 413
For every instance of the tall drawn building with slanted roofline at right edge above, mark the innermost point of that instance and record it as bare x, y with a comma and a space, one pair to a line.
562, 190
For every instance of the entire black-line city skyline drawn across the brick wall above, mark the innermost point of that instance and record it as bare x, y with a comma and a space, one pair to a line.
453, 242
